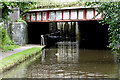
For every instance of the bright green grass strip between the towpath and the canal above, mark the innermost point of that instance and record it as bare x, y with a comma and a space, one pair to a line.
9, 61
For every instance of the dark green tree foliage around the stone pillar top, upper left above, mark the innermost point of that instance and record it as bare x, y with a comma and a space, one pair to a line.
23, 6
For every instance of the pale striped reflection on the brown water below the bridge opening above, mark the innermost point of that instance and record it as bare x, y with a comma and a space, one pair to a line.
67, 52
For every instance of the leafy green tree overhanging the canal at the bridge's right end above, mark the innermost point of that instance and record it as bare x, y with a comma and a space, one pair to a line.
111, 16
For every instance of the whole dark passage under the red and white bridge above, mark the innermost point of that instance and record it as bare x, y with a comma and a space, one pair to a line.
92, 35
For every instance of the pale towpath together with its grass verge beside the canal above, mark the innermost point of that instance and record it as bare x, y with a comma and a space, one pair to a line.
19, 55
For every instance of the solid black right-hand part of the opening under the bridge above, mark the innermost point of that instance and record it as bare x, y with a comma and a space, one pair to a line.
93, 35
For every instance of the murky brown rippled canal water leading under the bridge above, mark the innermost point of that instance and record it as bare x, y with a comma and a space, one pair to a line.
66, 60
